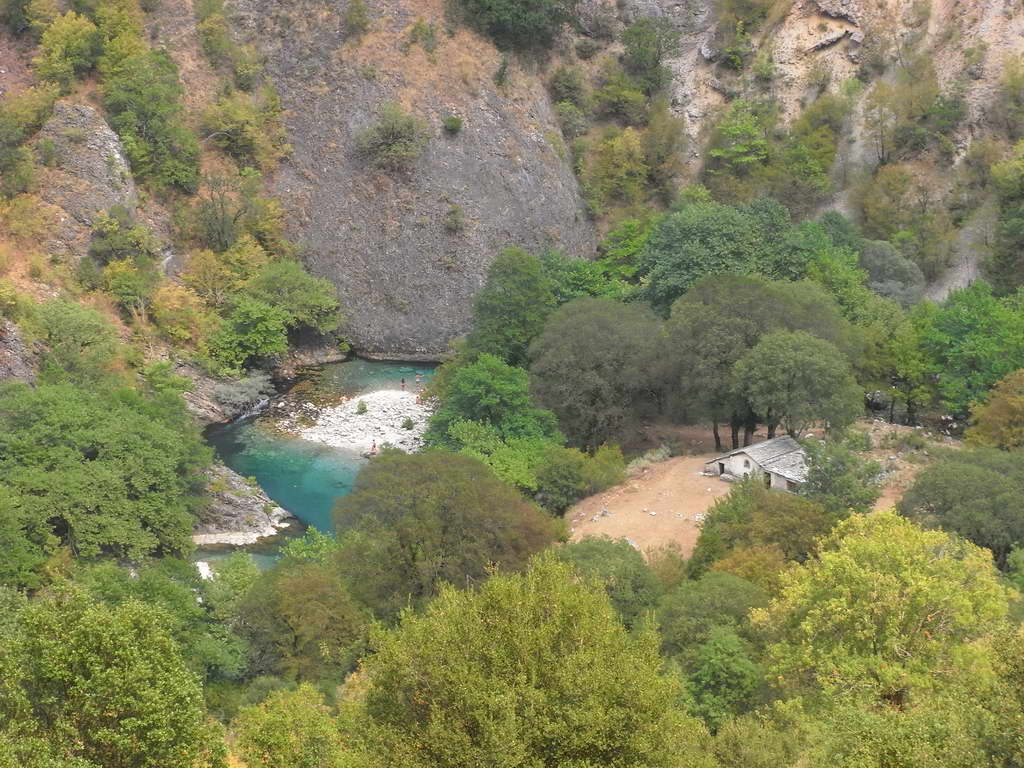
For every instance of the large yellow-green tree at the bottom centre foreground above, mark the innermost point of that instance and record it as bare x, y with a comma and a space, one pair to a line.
507, 675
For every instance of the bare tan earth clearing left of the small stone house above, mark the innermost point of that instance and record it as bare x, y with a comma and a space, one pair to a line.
674, 491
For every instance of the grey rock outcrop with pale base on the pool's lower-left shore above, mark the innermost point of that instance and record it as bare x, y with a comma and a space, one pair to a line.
239, 513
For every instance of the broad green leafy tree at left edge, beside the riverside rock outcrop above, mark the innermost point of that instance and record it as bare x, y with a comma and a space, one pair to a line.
110, 473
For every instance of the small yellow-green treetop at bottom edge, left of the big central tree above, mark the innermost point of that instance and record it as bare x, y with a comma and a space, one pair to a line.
289, 730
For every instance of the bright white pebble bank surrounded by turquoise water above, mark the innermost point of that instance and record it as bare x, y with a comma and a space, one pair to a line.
344, 428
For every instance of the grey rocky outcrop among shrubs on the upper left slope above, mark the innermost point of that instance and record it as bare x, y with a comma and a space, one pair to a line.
90, 175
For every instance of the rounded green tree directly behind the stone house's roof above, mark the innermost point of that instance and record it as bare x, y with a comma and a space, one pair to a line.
794, 379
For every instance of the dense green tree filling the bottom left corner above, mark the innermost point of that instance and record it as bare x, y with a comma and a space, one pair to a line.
100, 684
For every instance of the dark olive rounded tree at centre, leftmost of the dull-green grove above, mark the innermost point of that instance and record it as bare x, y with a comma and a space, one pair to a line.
594, 361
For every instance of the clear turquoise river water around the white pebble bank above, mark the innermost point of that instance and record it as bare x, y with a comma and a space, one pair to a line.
307, 478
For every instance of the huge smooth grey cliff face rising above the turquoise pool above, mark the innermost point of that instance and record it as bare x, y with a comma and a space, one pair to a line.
406, 281
